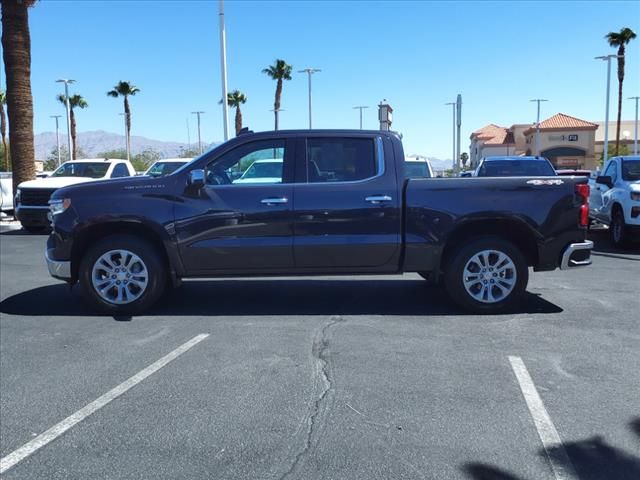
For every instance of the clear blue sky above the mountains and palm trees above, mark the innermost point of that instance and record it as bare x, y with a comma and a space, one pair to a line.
418, 55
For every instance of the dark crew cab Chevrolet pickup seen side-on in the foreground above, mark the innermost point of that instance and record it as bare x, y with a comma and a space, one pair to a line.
341, 205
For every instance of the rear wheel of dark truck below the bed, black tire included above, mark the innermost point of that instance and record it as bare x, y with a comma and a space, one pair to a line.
515, 277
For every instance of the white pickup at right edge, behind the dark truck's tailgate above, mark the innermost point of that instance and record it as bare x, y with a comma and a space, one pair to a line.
615, 199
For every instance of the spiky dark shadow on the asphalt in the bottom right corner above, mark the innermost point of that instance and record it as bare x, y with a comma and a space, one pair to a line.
593, 459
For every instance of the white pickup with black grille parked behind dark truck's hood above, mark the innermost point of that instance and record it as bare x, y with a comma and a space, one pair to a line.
32, 197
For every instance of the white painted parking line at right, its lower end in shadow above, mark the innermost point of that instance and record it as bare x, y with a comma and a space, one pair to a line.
557, 455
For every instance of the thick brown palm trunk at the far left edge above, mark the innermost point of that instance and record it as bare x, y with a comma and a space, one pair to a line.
16, 47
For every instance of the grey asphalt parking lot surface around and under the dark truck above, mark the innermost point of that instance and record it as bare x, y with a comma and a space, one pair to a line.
341, 378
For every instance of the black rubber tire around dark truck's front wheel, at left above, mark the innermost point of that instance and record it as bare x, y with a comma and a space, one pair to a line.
152, 260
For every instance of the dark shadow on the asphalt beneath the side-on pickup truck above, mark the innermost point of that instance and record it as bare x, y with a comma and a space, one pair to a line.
273, 297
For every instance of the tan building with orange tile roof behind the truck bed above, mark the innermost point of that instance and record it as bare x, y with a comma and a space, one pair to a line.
568, 142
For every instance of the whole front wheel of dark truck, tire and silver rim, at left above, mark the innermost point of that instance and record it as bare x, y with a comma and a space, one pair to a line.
122, 274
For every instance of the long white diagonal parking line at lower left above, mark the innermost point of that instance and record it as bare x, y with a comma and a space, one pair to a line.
54, 432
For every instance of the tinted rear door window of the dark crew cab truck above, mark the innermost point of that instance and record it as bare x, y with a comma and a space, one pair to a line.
340, 159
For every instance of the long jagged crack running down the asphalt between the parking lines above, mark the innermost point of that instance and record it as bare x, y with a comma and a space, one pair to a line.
319, 354
